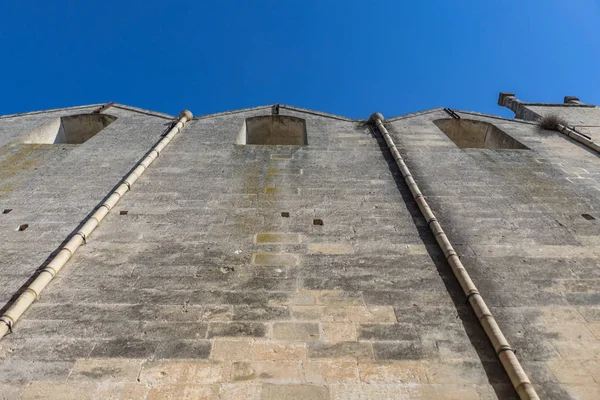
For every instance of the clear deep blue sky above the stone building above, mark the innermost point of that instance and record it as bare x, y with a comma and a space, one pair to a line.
344, 57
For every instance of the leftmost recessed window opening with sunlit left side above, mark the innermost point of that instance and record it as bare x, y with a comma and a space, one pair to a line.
74, 129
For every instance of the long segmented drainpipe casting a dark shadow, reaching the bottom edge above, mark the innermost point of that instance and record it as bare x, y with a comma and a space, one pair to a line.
509, 361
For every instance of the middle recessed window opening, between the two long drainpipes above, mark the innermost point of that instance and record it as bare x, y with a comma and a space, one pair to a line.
278, 130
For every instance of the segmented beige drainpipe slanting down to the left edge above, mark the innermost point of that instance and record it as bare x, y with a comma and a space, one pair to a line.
30, 294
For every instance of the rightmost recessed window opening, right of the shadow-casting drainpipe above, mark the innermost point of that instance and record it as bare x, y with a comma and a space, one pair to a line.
471, 134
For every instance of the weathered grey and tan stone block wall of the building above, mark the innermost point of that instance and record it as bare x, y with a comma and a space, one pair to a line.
282, 272
